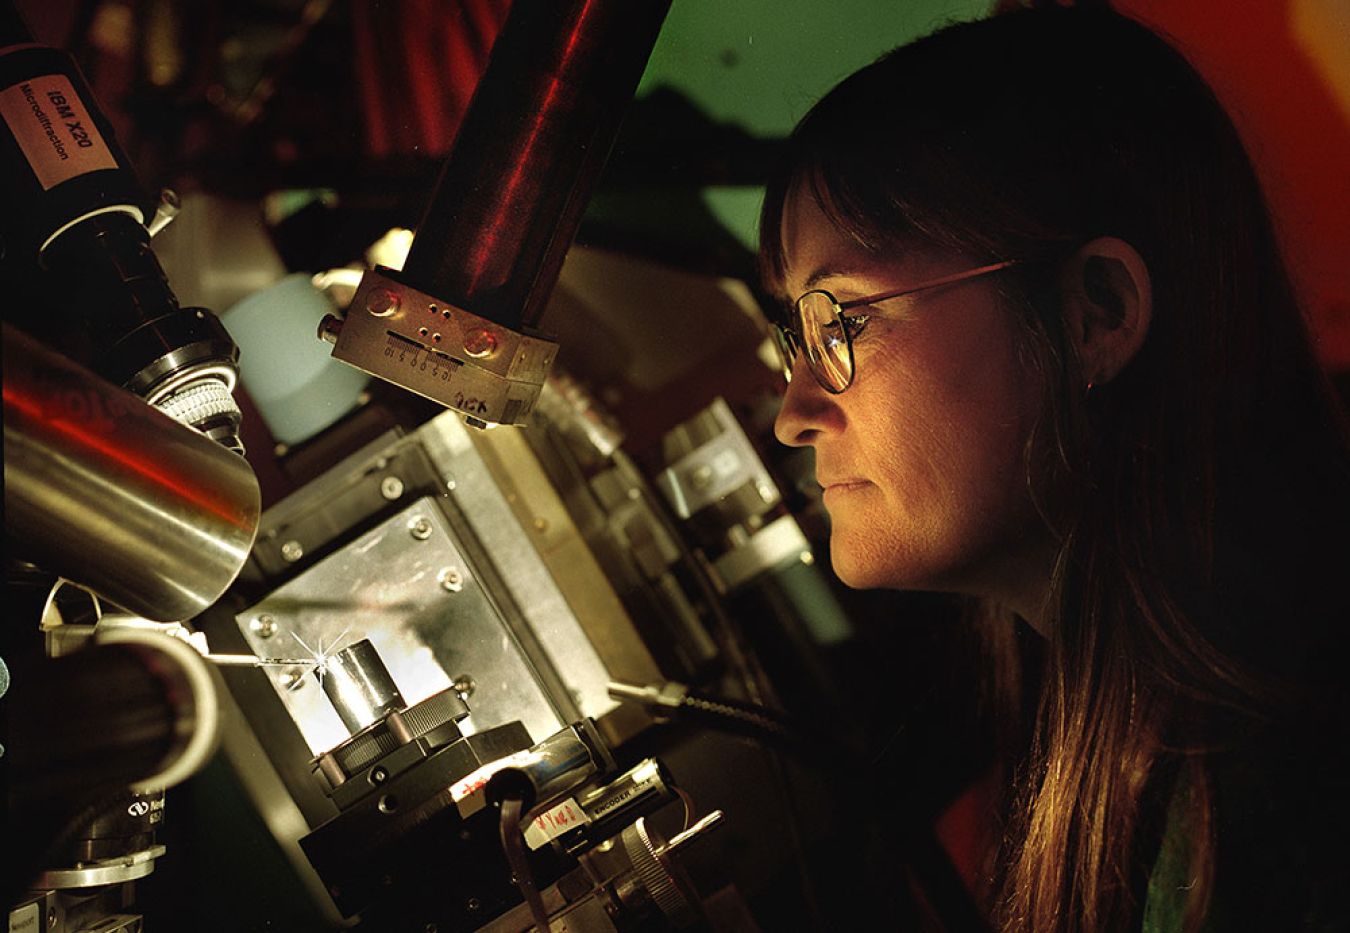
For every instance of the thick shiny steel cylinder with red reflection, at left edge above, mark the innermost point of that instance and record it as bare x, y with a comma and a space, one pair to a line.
113, 495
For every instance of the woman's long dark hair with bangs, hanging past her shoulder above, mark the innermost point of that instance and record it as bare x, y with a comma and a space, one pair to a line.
1199, 499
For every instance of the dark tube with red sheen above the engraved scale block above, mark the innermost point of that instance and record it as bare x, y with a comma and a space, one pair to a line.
529, 155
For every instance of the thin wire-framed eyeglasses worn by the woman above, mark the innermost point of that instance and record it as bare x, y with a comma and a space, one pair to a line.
821, 329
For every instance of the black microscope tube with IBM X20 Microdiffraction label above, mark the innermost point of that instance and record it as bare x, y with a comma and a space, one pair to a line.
74, 221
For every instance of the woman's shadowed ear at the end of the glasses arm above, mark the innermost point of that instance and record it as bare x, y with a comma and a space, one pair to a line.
1108, 306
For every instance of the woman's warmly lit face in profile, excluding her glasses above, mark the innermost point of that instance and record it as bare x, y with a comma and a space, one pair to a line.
921, 458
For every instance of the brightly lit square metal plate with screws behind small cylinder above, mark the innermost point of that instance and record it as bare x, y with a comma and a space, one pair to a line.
407, 587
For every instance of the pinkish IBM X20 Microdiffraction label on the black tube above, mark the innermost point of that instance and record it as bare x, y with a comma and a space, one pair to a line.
55, 129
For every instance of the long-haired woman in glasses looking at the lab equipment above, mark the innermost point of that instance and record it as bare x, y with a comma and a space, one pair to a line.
1046, 349
